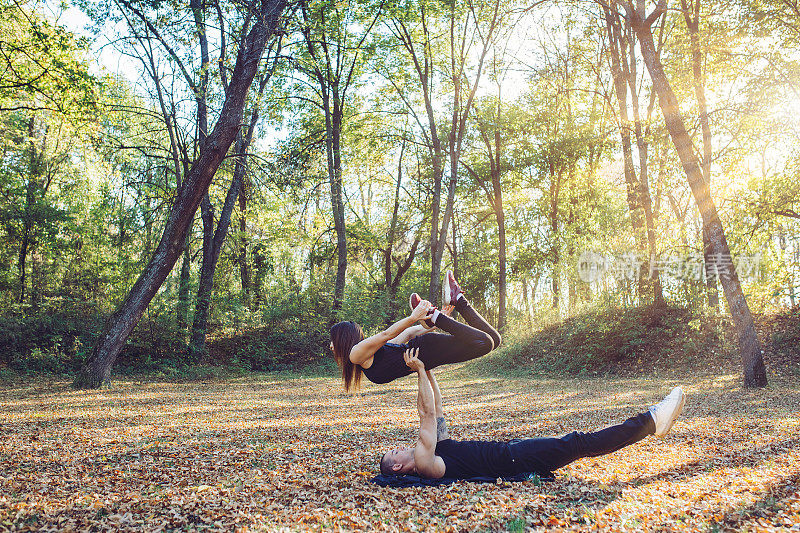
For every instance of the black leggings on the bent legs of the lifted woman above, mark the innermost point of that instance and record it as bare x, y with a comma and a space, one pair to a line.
465, 342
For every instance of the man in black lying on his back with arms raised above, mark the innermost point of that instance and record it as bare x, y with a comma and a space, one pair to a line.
436, 455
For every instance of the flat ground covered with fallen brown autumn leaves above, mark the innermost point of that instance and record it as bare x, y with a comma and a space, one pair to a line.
291, 453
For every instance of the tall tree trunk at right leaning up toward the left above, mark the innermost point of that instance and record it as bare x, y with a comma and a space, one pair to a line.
749, 345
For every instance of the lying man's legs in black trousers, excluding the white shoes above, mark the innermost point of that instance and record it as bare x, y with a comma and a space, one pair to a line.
548, 454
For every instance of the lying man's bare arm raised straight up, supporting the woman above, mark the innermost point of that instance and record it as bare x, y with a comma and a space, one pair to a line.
425, 459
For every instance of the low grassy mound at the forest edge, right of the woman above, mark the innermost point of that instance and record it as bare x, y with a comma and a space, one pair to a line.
639, 341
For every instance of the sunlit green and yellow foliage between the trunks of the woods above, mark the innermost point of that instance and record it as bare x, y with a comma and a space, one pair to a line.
84, 194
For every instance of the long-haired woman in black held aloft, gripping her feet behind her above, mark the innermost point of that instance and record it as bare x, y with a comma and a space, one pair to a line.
380, 357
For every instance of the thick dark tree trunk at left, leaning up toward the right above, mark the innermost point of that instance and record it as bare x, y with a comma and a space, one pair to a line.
121, 323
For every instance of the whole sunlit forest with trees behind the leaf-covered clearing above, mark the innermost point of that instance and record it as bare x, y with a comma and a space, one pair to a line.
522, 145
